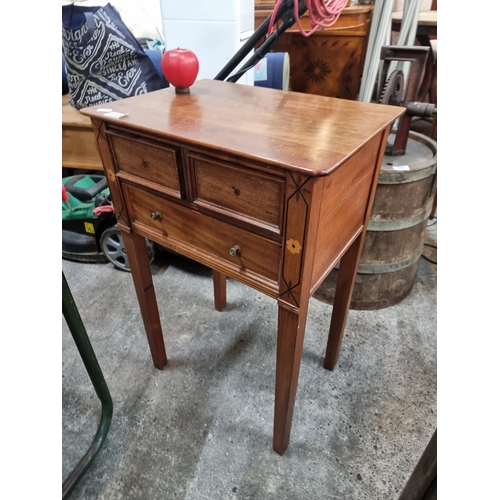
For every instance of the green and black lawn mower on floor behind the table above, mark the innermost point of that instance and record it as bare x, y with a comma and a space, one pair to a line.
90, 233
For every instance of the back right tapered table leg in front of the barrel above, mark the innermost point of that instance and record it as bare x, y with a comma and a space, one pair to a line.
343, 293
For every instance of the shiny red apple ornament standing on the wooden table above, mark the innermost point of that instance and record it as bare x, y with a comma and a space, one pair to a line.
180, 67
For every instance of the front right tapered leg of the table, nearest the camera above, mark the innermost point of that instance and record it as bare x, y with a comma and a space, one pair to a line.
291, 328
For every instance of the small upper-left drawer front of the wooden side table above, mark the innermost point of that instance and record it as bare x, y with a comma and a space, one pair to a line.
155, 163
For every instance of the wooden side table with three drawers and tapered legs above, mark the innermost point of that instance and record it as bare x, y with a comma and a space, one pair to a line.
268, 187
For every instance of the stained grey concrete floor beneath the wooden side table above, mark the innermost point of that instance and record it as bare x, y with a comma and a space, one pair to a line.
202, 427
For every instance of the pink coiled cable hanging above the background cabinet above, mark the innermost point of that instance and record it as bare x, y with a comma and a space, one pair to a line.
322, 13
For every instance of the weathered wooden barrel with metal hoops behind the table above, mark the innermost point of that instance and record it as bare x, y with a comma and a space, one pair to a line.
396, 232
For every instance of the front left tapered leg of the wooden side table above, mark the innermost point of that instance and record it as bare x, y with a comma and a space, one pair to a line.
143, 281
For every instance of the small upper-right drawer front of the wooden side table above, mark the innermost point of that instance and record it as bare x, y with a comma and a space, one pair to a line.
250, 195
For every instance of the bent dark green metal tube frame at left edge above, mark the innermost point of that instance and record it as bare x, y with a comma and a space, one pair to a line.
86, 351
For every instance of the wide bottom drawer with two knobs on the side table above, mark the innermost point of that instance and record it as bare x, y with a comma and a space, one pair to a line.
204, 238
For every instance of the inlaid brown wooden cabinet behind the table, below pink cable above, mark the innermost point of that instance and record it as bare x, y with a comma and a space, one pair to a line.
330, 61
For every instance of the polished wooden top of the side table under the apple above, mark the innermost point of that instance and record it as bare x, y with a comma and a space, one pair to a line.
300, 132
